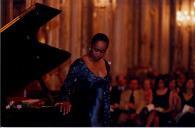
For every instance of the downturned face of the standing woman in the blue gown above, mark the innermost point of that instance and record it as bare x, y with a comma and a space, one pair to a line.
98, 50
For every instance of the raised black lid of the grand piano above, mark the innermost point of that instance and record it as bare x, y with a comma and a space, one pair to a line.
24, 59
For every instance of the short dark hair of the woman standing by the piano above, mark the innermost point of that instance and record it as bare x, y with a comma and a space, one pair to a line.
100, 37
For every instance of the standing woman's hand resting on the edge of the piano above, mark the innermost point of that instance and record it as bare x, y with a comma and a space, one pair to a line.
64, 107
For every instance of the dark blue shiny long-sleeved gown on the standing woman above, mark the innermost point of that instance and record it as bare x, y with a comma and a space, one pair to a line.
89, 95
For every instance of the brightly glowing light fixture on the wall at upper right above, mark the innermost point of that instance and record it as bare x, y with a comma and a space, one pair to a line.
186, 18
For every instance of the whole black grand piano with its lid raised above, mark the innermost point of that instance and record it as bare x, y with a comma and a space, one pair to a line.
25, 59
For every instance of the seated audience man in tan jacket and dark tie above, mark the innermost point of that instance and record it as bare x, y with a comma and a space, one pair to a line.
131, 104
